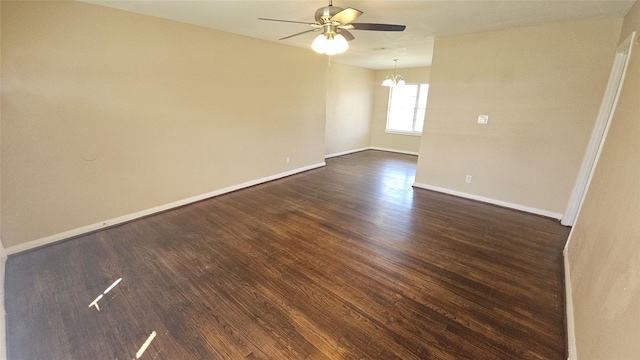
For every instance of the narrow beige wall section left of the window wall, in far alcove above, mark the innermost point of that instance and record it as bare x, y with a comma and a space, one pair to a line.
349, 96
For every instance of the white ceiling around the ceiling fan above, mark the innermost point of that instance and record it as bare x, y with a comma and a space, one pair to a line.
425, 20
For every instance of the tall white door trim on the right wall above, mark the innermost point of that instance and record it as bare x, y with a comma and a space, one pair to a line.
600, 129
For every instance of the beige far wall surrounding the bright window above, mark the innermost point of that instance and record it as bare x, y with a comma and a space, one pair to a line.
380, 139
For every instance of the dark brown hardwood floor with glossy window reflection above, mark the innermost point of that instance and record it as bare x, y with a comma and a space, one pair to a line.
343, 262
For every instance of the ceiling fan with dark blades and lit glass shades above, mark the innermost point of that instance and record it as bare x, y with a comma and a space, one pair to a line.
334, 24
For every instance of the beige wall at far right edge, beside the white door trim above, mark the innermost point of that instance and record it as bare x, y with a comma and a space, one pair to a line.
604, 247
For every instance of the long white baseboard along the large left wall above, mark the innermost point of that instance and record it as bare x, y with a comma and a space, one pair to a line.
125, 218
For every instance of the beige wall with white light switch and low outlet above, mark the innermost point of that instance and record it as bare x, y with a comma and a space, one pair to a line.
541, 87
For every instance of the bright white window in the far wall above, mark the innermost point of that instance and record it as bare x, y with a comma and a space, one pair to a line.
407, 106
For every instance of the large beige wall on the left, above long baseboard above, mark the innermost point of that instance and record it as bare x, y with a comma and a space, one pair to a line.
107, 113
